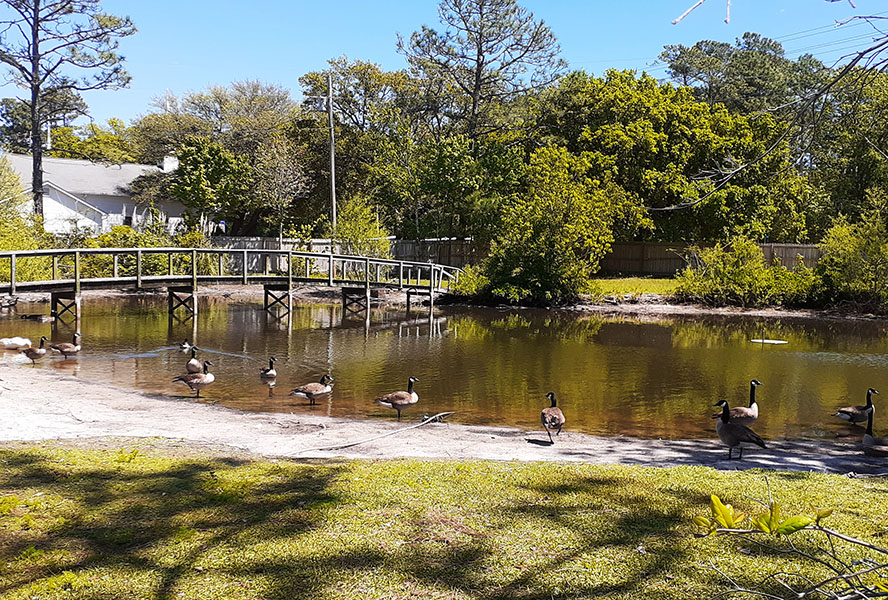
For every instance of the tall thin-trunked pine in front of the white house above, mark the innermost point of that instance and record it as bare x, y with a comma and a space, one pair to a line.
45, 41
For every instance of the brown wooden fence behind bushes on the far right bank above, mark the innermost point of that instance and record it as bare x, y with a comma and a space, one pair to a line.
662, 259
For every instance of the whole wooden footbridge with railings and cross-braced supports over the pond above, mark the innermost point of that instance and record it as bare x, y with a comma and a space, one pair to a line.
64, 273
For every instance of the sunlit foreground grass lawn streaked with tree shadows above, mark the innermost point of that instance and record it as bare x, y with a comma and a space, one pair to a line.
117, 524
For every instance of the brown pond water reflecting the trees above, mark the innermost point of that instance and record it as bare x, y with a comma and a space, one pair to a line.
611, 376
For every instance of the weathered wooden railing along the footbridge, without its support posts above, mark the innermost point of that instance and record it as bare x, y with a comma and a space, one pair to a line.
37, 269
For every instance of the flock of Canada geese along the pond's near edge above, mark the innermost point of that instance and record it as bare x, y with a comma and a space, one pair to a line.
733, 425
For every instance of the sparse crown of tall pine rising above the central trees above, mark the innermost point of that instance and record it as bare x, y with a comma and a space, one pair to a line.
490, 50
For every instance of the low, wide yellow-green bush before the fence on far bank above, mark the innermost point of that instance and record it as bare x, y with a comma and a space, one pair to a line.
737, 274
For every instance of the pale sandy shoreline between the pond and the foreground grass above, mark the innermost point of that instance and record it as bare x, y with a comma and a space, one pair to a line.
39, 405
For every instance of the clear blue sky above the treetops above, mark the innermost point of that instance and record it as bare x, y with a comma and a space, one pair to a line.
187, 45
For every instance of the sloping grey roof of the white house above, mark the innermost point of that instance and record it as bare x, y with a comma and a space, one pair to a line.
80, 177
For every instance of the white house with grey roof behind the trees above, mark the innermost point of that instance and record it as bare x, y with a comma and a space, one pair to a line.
81, 193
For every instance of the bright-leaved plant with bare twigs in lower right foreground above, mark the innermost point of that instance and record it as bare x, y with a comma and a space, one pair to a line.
825, 571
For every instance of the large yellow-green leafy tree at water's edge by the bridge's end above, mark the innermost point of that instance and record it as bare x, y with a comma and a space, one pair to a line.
552, 238
